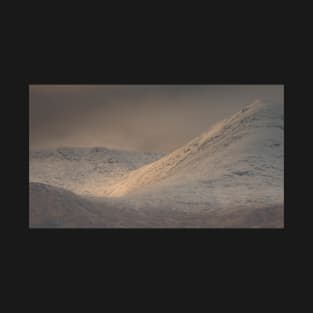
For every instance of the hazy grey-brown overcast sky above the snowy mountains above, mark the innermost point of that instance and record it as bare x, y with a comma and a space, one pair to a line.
134, 117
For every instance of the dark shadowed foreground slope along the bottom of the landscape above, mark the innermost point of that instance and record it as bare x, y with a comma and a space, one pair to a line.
54, 207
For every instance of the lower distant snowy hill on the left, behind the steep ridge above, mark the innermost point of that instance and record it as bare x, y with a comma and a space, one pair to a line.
85, 171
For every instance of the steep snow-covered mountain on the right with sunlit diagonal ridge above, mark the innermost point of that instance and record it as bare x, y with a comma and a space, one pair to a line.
238, 163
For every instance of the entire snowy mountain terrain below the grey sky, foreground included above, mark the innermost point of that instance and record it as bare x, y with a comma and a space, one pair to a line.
230, 176
